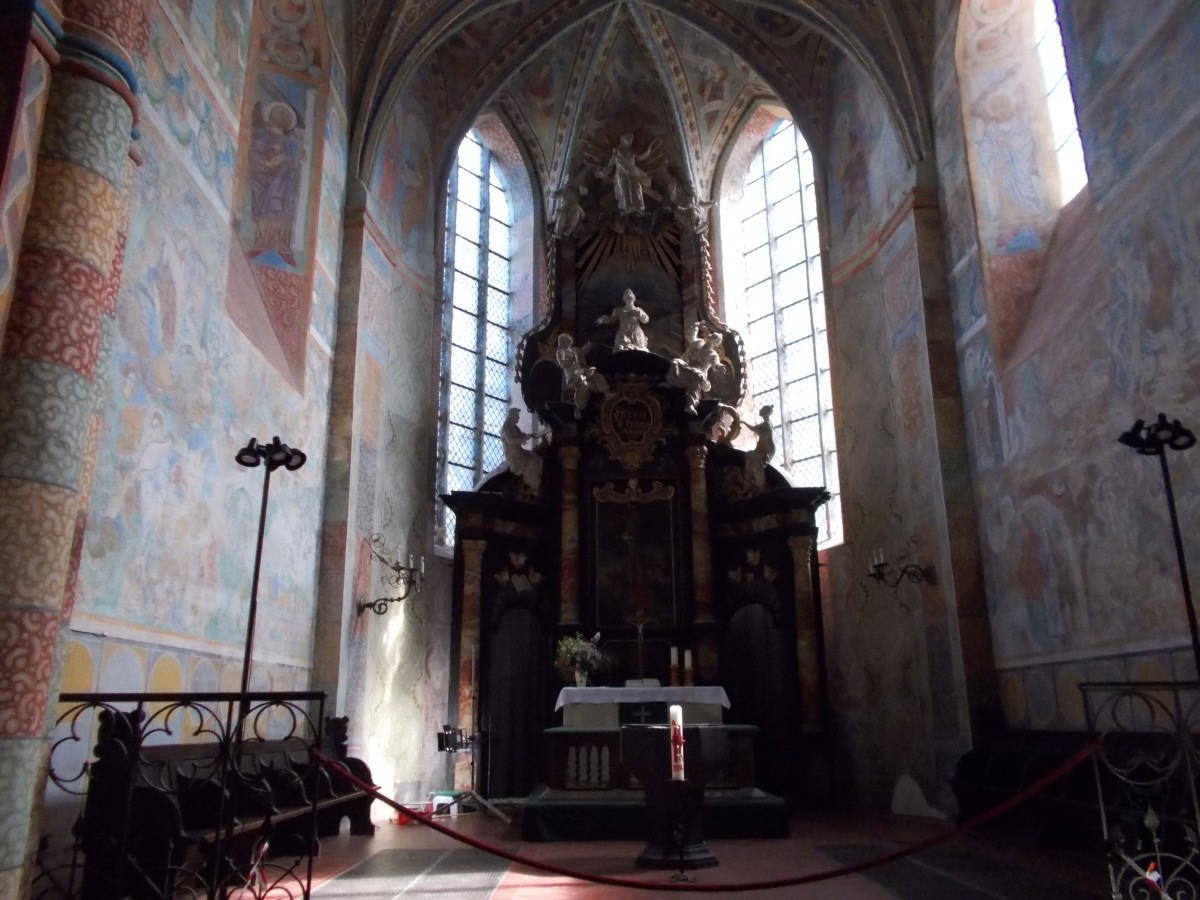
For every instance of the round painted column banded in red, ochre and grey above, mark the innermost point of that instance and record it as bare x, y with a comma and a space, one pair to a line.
65, 287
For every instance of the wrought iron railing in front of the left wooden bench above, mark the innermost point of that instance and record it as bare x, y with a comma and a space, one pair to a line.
183, 796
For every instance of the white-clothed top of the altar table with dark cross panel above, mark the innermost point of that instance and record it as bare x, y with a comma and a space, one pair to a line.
613, 707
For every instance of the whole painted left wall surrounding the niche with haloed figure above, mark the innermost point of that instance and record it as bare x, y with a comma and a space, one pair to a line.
167, 554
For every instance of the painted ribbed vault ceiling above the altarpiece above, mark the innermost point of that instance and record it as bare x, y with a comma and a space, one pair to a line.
571, 76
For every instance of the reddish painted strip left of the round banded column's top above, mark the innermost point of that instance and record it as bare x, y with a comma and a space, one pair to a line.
28, 51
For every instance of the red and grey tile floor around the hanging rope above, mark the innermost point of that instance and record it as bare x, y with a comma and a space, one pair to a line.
977, 866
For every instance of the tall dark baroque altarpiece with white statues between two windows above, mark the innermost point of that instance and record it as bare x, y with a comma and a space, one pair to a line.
644, 508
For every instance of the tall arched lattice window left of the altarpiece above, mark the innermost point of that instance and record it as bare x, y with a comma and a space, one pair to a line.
476, 382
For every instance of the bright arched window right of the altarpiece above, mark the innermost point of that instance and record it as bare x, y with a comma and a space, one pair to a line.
781, 311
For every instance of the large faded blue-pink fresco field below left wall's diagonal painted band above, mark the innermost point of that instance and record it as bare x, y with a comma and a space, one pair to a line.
167, 553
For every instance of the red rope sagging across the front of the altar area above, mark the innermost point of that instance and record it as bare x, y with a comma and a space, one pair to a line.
1084, 754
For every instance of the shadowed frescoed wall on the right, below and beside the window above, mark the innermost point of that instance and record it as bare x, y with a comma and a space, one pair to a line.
1081, 572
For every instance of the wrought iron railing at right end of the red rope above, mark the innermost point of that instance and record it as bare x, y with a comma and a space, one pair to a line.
1147, 775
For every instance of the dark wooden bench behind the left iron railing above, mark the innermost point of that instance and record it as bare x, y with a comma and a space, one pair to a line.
160, 818
